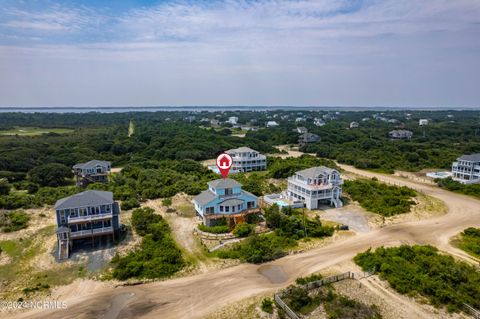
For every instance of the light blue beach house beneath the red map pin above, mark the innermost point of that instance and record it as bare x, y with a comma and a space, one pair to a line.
225, 198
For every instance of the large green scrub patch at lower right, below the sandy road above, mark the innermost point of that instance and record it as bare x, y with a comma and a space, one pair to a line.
421, 271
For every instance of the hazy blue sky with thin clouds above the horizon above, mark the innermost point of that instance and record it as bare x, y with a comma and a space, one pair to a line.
399, 53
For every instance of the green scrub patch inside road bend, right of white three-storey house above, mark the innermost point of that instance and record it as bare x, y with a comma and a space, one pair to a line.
380, 198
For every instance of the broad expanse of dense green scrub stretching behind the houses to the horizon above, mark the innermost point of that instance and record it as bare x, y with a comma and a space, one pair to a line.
161, 158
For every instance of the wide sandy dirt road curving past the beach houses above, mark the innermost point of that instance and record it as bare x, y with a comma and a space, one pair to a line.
196, 296
